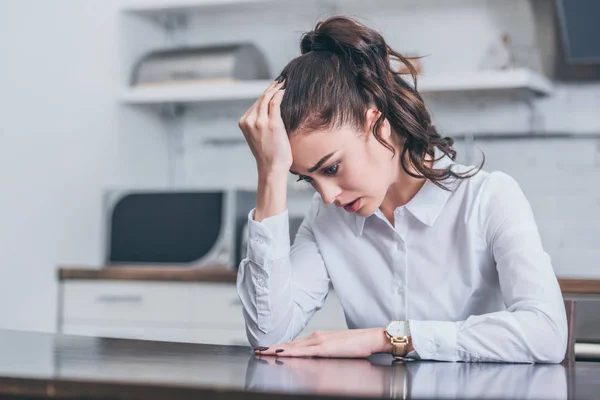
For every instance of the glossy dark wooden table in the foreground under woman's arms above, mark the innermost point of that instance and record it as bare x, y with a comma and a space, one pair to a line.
37, 365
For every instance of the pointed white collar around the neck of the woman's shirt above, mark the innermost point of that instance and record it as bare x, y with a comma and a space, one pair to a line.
428, 203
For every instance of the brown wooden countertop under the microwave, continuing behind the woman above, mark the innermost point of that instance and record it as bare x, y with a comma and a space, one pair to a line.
228, 275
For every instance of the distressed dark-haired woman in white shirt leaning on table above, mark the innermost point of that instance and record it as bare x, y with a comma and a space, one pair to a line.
430, 259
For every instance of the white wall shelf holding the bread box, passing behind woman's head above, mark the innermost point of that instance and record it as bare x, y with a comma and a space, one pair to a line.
521, 81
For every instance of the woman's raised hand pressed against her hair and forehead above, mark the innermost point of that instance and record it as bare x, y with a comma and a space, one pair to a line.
265, 132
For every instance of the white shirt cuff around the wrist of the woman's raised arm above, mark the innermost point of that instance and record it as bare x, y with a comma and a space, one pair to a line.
269, 239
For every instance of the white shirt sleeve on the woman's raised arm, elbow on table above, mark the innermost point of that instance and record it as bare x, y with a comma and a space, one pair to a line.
281, 287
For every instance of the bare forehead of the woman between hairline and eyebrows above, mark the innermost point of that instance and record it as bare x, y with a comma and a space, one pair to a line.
309, 148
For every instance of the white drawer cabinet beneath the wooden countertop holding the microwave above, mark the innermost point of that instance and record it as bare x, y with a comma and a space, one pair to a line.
199, 312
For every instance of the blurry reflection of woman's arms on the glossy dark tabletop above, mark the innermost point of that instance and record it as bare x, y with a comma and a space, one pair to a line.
381, 376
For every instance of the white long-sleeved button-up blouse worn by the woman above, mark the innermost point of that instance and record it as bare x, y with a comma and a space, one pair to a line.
465, 267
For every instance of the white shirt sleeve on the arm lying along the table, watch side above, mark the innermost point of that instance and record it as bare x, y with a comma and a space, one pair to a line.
533, 328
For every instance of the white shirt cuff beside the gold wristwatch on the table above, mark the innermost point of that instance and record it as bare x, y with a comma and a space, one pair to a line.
435, 340
